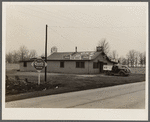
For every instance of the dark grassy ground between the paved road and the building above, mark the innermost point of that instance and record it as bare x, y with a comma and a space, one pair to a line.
60, 83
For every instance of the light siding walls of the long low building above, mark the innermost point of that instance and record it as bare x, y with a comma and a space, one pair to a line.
69, 67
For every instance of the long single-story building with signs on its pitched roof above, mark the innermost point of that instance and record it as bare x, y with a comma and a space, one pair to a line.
88, 62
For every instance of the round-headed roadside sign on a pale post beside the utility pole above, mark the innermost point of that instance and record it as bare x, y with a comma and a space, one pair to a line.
39, 64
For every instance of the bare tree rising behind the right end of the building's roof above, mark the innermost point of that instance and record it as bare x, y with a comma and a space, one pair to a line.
105, 45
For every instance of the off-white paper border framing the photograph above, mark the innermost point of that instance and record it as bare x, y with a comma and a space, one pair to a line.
68, 114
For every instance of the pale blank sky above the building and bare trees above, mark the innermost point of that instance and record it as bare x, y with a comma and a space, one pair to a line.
71, 24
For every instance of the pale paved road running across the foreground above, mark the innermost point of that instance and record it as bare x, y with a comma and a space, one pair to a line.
122, 96
